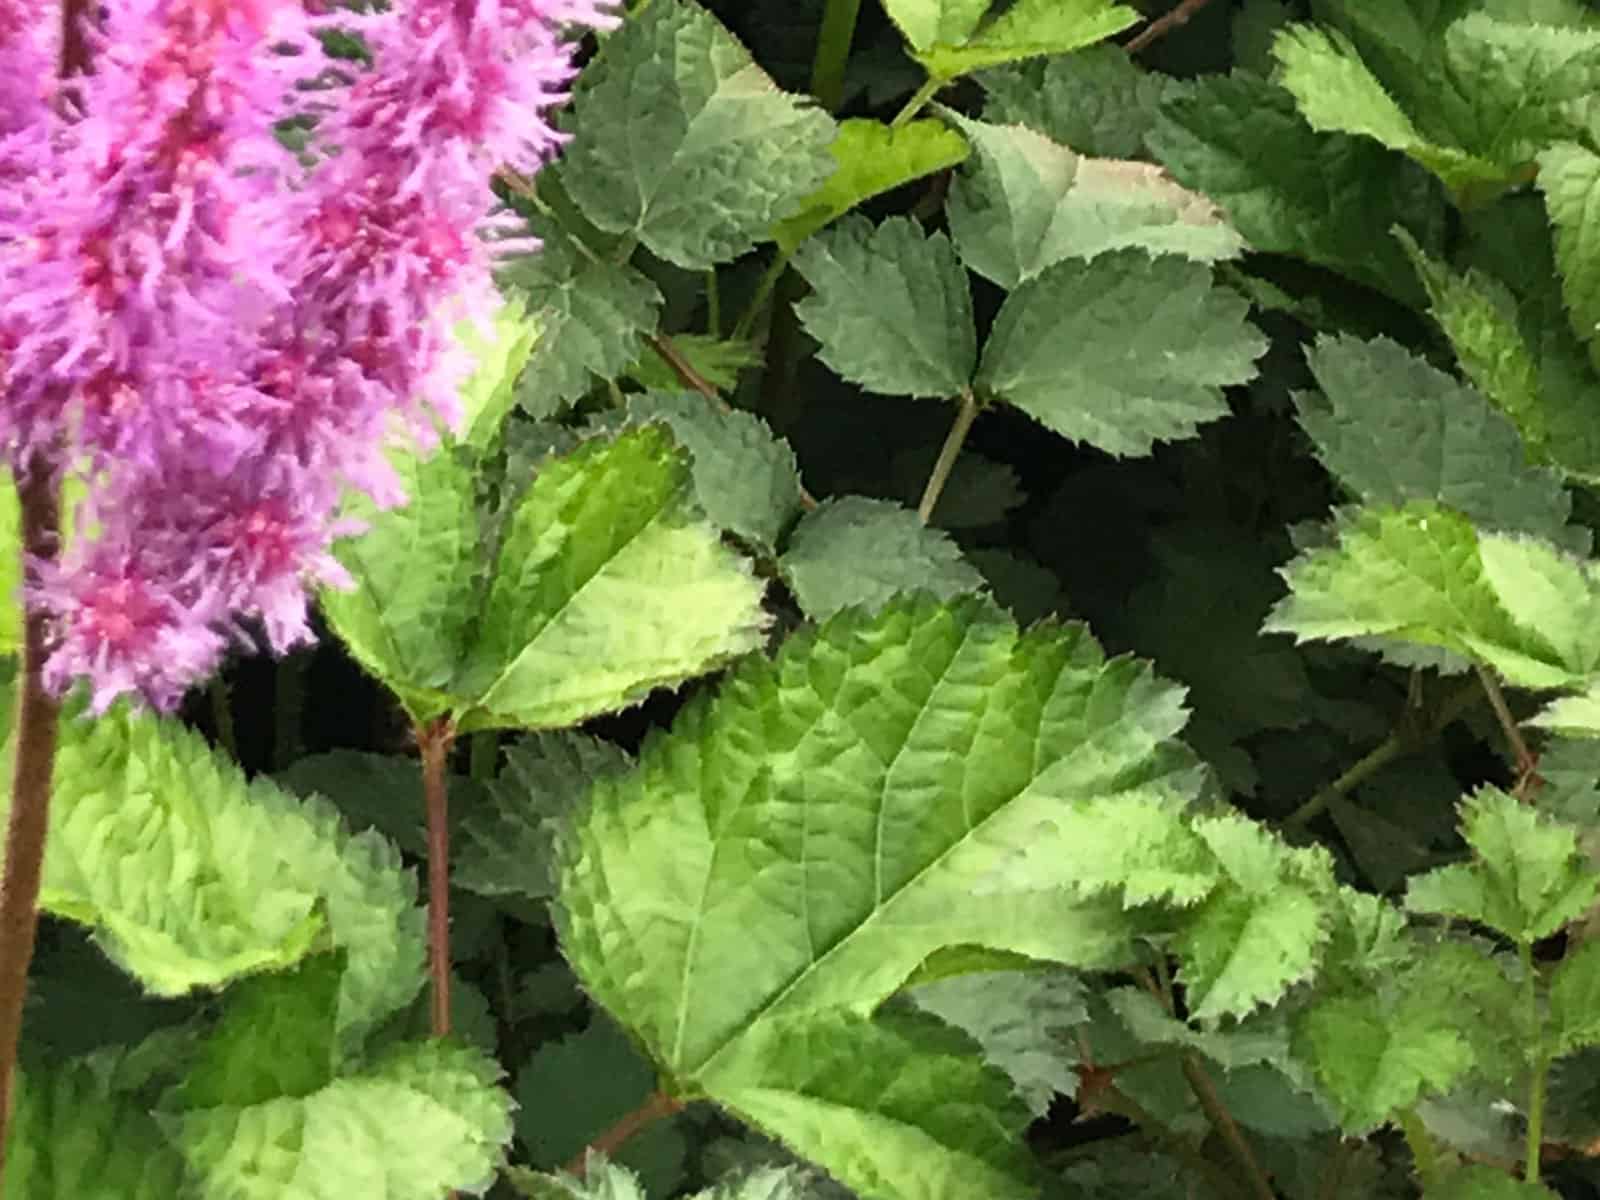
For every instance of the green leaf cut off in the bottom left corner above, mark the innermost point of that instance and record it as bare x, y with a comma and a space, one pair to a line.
74, 1138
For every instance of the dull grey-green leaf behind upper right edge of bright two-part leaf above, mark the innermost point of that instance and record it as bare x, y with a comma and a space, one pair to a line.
746, 478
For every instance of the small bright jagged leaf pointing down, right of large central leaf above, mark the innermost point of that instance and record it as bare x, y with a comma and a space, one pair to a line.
1263, 930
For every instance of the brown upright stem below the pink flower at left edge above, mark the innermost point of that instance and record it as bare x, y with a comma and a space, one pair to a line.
38, 719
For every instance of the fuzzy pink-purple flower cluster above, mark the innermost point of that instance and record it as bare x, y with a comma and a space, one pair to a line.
220, 340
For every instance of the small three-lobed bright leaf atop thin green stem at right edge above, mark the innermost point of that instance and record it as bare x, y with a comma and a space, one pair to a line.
1527, 878
